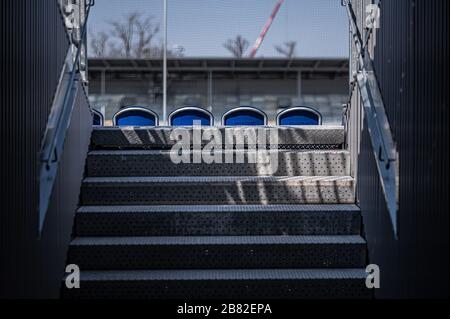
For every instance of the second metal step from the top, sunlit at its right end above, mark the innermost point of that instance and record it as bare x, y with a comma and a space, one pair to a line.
159, 163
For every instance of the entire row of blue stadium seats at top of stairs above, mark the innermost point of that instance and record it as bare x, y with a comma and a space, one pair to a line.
187, 116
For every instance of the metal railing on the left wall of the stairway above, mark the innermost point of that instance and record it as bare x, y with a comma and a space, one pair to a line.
59, 118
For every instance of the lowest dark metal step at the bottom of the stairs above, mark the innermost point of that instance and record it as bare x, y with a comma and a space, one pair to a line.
222, 284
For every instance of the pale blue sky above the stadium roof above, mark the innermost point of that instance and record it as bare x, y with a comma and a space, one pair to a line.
319, 27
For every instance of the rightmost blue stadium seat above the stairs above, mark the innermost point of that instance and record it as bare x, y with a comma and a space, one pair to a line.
299, 116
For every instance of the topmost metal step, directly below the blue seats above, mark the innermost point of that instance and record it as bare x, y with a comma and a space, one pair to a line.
300, 137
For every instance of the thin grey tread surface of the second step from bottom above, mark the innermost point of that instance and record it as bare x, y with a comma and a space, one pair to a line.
217, 240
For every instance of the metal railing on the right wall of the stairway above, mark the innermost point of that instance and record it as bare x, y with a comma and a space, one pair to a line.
383, 145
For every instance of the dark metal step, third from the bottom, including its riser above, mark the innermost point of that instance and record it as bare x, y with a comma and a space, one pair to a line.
218, 220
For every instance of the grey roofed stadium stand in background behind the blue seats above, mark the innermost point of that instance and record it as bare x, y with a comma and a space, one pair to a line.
218, 84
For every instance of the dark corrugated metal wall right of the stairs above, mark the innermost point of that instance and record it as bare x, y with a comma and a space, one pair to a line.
411, 59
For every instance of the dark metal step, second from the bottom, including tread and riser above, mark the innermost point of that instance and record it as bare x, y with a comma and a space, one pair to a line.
217, 252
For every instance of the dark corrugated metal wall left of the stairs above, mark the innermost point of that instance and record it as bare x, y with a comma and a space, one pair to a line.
33, 46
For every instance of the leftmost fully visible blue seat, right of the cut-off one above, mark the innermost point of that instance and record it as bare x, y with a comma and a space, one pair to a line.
135, 116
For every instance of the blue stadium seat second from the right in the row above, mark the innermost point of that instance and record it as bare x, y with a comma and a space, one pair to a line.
244, 116
